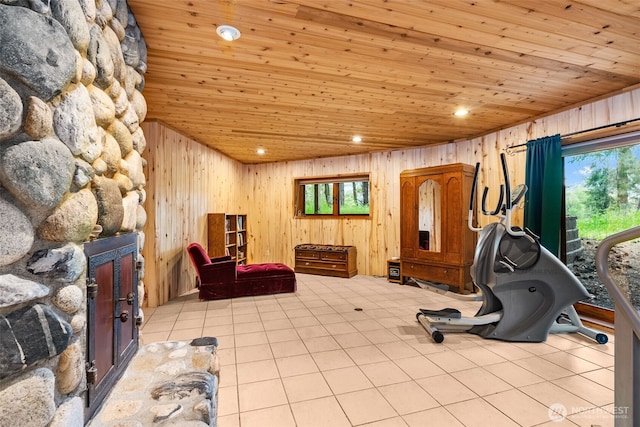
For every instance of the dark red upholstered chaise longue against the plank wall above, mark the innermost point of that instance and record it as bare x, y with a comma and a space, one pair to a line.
220, 277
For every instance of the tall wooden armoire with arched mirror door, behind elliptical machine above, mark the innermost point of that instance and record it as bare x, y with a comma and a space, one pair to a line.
436, 244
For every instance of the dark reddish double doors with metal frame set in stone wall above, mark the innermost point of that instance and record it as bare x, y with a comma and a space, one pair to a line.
112, 312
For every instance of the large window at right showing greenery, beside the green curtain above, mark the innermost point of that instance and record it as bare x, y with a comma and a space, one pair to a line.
602, 197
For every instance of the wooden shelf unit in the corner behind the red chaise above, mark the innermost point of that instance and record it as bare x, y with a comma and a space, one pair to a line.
227, 235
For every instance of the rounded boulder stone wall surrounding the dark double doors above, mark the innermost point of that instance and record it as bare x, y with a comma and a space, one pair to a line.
71, 75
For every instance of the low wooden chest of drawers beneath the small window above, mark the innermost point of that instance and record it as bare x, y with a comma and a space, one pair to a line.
326, 260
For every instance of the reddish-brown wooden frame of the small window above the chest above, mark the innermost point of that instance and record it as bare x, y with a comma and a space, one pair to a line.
335, 181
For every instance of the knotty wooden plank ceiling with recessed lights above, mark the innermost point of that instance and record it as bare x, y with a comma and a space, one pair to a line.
307, 75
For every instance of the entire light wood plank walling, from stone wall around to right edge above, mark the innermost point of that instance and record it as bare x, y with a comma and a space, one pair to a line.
187, 180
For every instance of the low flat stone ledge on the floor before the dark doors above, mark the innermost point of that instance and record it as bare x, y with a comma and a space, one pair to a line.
171, 383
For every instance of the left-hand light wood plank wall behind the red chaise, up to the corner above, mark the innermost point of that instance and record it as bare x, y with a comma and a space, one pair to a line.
185, 181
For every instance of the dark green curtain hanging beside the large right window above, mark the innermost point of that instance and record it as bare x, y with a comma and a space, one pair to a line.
543, 204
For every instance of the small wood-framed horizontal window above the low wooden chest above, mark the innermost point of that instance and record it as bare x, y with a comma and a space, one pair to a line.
332, 196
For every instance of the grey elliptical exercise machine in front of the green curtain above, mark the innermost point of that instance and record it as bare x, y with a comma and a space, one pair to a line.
526, 291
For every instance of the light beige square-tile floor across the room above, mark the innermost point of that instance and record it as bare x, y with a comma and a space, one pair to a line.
310, 359
